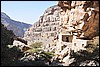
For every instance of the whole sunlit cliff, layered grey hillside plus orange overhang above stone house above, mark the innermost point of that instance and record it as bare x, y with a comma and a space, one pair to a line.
81, 17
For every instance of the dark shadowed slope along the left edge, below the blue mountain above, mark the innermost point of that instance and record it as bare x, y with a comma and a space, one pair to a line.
8, 56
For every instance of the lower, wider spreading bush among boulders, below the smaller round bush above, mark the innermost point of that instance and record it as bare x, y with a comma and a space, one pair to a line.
40, 54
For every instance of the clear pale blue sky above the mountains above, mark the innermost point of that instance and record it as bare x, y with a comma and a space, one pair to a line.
25, 11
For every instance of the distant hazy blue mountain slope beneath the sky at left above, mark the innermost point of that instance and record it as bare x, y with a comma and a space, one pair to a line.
17, 27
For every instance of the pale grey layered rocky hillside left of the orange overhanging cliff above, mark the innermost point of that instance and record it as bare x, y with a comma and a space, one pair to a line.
46, 28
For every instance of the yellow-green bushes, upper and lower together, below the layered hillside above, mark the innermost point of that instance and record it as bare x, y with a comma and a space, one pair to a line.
40, 54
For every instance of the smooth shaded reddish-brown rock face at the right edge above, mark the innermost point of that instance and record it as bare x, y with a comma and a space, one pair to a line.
91, 27
